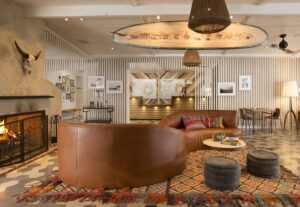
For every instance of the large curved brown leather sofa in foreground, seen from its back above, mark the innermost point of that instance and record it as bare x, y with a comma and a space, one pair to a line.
116, 156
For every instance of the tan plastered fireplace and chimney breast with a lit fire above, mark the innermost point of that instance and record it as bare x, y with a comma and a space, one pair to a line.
23, 95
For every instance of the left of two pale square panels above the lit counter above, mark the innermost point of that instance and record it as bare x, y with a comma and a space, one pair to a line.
145, 87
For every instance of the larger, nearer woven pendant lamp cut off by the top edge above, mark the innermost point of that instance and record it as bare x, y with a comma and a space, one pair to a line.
209, 16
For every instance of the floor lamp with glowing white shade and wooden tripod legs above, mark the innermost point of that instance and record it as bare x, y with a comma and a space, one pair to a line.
290, 89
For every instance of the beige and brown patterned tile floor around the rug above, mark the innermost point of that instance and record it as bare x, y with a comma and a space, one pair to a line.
286, 144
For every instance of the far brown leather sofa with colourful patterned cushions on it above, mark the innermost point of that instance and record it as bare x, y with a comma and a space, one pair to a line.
194, 138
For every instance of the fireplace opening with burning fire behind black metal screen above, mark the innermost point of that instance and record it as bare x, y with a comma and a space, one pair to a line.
22, 136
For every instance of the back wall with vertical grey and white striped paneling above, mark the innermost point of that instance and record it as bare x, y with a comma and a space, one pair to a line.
268, 75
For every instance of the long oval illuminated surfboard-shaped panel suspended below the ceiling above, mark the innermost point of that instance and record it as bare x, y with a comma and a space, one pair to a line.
177, 36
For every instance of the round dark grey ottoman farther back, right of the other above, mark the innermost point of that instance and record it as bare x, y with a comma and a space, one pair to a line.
263, 163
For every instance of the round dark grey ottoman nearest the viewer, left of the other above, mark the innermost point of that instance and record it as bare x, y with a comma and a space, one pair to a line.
222, 173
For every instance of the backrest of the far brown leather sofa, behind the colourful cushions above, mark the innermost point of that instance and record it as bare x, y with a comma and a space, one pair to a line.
175, 120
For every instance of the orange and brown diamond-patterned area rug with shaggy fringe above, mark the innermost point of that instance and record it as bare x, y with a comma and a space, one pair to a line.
186, 188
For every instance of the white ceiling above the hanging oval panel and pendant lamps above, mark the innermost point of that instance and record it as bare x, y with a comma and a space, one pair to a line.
105, 16
